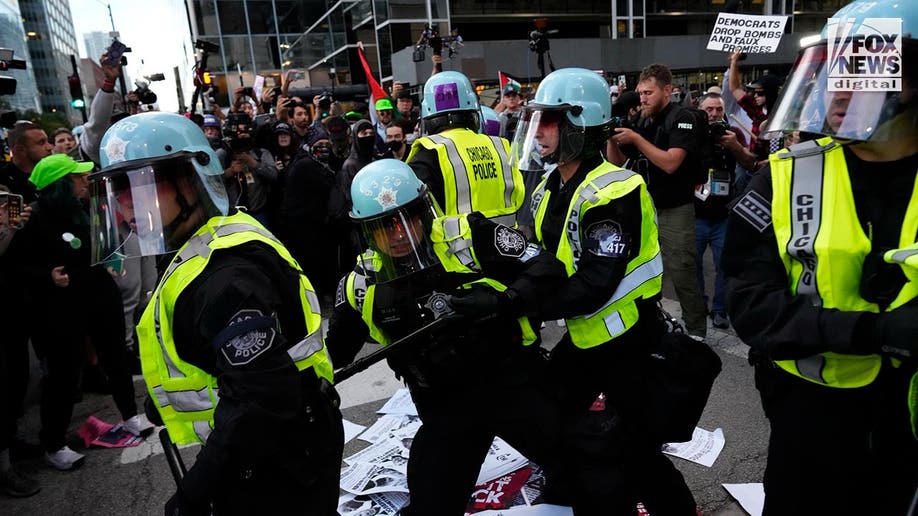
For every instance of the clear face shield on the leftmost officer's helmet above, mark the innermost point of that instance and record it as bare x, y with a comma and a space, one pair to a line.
147, 209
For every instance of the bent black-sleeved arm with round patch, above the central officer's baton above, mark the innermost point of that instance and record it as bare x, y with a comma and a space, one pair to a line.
504, 255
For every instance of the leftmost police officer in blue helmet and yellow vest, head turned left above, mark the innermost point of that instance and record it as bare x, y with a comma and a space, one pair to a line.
233, 320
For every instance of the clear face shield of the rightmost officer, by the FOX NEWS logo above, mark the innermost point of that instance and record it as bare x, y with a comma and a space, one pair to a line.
807, 105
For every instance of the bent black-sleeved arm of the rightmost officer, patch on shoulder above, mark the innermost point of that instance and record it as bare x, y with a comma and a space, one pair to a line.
765, 315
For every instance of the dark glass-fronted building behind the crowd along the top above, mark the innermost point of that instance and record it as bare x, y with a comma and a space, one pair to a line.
267, 37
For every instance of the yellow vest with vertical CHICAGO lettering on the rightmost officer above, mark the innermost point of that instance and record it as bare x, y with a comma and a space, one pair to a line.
823, 247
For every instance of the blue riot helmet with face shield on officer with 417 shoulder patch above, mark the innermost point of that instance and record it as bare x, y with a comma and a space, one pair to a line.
569, 119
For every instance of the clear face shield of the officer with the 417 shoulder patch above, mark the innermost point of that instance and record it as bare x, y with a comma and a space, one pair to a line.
544, 137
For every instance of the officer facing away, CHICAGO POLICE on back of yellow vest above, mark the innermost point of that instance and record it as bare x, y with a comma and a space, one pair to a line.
466, 171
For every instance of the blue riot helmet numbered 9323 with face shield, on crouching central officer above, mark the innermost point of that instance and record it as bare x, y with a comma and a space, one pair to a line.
395, 213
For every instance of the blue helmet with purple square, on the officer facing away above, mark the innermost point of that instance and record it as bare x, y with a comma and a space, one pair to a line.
449, 101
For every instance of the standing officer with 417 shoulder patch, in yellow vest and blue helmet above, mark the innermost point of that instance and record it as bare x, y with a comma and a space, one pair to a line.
600, 221
